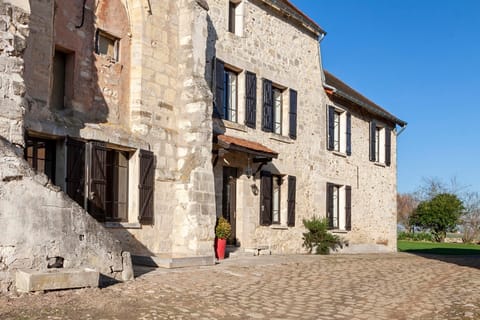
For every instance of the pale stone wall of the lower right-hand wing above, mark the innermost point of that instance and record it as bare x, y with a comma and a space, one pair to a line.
374, 188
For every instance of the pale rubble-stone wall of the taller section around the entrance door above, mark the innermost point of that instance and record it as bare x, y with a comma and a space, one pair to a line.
275, 48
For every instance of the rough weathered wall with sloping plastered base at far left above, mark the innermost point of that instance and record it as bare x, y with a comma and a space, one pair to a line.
38, 220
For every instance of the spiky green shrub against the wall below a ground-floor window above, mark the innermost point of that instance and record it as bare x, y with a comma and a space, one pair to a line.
319, 238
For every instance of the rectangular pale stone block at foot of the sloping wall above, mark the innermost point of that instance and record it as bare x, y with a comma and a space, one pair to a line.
55, 279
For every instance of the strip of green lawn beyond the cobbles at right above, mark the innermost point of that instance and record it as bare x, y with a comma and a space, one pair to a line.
438, 248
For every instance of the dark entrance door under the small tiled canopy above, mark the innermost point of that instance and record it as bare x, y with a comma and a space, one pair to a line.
229, 199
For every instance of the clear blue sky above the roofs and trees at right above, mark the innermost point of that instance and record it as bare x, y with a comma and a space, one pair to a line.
419, 59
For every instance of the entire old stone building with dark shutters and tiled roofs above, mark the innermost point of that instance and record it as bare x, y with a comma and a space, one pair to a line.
157, 117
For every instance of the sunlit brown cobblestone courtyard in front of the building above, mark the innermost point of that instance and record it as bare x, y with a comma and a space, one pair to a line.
385, 286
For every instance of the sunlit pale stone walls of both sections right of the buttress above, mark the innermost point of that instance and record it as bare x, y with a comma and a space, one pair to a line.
277, 48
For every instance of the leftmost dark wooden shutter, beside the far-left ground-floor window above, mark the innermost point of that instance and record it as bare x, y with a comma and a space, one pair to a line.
75, 179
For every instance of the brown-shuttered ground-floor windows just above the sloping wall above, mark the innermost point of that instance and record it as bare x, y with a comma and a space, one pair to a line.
96, 175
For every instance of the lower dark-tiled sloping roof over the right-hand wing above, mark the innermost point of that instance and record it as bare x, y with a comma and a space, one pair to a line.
343, 90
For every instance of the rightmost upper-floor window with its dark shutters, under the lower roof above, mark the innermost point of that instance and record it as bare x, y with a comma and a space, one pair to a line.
380, 144
